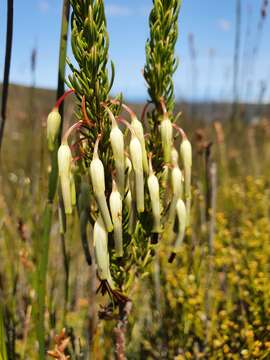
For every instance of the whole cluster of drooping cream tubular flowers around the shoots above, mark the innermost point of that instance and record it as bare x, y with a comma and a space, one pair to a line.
134, 188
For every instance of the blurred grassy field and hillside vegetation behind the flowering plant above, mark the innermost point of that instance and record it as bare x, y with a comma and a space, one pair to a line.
213, 302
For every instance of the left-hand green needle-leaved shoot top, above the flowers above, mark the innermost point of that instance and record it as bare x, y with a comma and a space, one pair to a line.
90, 45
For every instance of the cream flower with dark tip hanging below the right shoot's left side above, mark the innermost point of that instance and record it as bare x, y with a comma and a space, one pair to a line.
153, 187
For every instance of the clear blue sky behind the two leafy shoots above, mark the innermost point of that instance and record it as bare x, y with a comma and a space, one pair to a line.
211, 22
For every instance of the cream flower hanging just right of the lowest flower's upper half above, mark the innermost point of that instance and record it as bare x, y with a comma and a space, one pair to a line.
116, 211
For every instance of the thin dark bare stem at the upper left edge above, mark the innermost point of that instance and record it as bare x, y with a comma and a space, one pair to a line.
9, 37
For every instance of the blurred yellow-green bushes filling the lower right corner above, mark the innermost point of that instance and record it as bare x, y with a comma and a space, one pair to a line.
216, 307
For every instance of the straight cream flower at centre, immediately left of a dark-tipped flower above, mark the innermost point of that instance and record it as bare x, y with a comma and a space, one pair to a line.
136, 159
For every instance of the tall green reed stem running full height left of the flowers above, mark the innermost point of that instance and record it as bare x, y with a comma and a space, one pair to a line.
43, 248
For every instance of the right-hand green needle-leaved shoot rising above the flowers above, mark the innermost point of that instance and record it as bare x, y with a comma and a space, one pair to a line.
161, 62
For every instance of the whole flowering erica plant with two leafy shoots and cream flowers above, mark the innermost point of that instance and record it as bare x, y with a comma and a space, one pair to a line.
128, 177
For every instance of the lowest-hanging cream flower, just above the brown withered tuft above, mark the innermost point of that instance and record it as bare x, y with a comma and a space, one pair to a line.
100, 242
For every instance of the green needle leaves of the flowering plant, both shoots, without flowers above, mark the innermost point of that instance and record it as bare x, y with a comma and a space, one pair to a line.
92, 86
